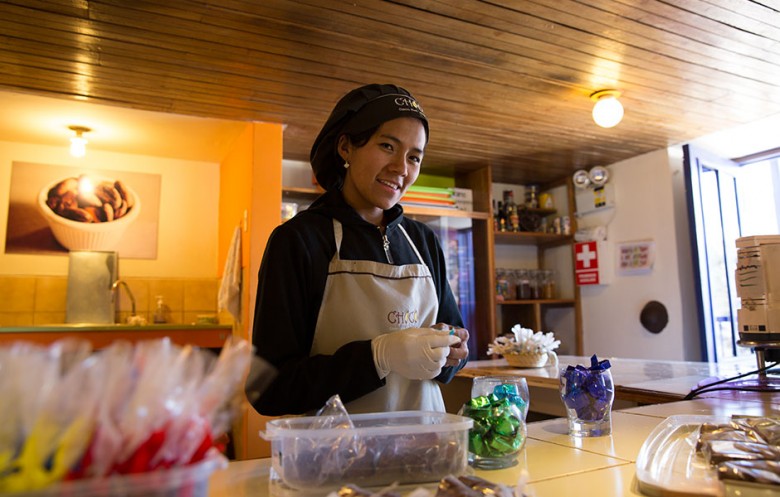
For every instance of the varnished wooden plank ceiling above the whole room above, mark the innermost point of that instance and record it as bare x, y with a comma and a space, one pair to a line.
504, 82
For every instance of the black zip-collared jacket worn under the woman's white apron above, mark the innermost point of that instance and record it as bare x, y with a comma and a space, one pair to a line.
290, 291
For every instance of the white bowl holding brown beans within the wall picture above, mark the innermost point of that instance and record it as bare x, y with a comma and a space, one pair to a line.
76, 235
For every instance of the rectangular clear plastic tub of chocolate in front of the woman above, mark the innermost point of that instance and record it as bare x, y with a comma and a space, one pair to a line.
382, 448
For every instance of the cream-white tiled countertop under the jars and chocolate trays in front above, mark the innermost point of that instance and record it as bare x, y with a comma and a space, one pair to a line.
555, 463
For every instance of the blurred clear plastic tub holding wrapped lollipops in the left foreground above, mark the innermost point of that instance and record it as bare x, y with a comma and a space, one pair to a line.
186, 481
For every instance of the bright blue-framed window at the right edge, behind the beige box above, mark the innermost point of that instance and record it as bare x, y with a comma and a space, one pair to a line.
726, 200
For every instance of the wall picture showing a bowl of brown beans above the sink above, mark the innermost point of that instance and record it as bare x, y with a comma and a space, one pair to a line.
55, 209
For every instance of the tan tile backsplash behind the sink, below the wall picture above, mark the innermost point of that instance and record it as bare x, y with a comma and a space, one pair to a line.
41, 300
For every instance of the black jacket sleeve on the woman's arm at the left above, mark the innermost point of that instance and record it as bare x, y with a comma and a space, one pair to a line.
289, 293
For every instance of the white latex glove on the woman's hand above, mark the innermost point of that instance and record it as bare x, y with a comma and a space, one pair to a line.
415, 353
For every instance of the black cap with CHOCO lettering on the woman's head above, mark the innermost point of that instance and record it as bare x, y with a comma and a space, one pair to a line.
359, 110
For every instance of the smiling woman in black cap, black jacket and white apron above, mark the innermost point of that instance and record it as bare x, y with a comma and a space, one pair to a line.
336, 277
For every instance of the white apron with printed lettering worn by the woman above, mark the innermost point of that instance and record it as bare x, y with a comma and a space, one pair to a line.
364, 299
